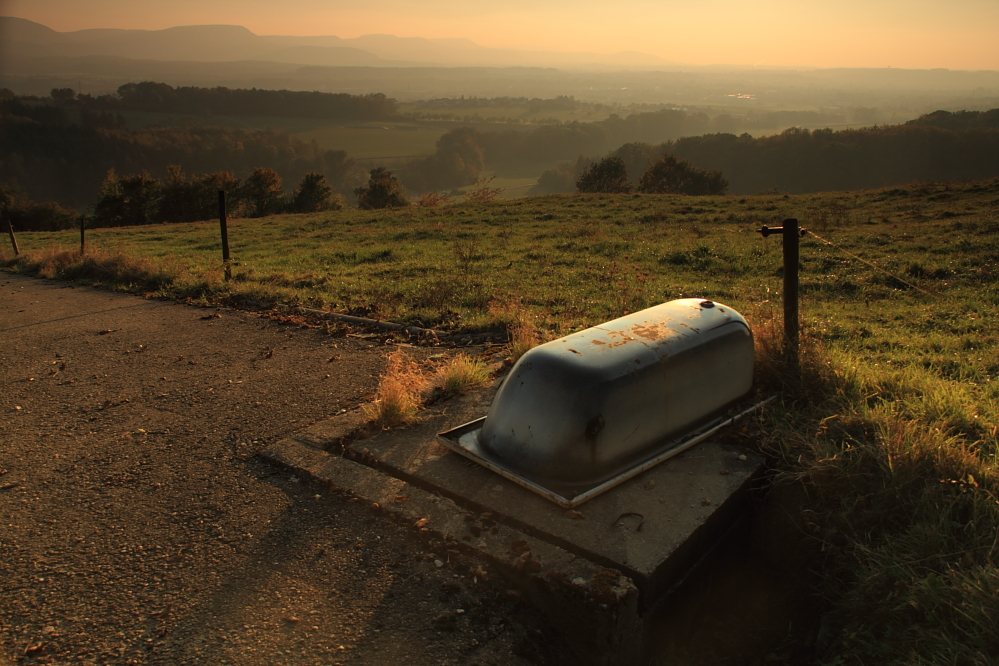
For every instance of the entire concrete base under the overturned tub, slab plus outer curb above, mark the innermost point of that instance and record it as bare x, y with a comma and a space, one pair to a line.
594, 571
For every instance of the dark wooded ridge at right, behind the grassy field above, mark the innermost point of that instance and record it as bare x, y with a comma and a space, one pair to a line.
940, 146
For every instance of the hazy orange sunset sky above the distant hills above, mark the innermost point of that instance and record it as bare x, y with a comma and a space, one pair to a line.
960, 34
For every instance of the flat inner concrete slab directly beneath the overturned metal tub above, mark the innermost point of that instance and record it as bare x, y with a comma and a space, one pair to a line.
652, 528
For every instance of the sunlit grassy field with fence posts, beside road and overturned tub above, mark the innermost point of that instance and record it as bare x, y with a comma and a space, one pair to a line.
889, 431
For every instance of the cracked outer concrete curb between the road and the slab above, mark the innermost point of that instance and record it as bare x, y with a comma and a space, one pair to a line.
595, 608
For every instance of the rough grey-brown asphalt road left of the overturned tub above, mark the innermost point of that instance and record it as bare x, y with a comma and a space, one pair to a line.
138, 526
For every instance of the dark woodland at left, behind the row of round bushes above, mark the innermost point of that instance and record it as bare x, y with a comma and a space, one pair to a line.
52, 151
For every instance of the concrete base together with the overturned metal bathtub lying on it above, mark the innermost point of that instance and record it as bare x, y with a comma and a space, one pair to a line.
588, 492
